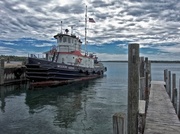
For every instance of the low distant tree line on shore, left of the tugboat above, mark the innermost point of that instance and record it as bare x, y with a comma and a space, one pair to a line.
13, 58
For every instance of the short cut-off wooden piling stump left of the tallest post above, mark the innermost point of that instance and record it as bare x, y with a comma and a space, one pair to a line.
119, 123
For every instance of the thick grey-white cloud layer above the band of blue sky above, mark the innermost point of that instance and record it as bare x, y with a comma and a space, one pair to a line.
144, 21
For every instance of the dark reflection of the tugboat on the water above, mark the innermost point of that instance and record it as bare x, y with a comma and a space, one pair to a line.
65, 102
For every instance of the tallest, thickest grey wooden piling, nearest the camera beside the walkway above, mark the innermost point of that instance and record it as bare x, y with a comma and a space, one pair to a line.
133, 88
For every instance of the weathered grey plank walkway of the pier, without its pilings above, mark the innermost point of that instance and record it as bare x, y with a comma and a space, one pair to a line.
161, 117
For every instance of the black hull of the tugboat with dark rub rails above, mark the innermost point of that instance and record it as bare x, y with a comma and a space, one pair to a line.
42, 70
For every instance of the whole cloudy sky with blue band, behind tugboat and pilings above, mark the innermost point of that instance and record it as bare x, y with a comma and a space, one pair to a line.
28, 26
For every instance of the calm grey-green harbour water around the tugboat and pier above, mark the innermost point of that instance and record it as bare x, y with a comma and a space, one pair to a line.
81, 108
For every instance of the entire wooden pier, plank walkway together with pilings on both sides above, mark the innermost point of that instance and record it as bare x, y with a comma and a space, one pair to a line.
155, 110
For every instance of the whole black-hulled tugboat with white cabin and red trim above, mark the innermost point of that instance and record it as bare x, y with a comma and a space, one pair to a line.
64, 61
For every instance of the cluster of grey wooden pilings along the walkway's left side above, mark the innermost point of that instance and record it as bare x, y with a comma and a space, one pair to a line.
139, 77
